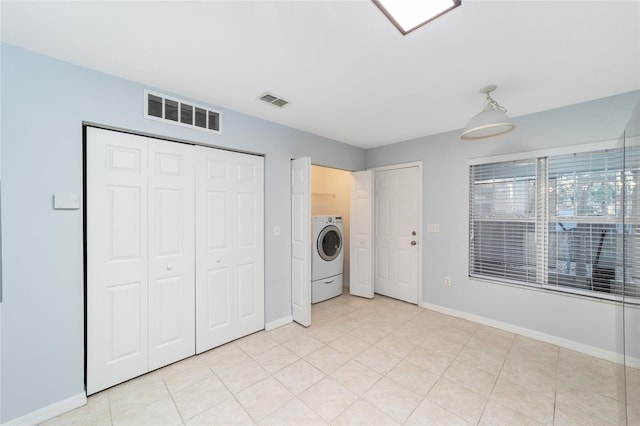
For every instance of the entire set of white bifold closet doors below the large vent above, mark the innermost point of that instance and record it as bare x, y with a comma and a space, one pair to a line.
175, 252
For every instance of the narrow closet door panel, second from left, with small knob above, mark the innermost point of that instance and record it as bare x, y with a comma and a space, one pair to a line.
171, 225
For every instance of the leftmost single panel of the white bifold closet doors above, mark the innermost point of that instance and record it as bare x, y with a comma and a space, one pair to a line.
116, 197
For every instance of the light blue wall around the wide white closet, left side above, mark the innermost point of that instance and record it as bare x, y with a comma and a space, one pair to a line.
44, 103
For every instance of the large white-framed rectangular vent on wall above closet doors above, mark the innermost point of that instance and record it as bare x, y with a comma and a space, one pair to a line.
179, 112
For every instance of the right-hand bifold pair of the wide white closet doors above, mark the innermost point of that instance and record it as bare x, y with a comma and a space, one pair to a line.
229, 246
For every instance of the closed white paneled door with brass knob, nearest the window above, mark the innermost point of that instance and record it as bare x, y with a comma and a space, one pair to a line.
397, 226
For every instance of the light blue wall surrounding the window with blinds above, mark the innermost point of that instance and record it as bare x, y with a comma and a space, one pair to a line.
446, 187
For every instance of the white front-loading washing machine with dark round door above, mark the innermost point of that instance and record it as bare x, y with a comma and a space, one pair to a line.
327, 258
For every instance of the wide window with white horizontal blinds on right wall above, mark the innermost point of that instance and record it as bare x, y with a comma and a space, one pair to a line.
565, 222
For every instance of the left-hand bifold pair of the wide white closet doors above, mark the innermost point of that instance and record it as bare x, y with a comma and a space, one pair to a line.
140, 255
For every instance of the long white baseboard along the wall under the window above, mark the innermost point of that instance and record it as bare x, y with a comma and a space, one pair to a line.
548, 338
